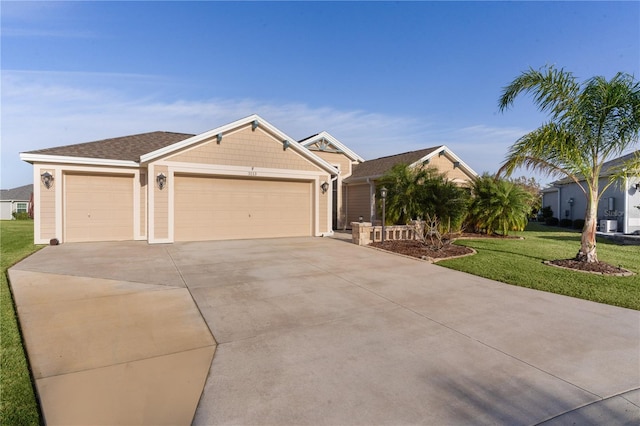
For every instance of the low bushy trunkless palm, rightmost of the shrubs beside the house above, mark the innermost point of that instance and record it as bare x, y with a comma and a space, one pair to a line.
499, 205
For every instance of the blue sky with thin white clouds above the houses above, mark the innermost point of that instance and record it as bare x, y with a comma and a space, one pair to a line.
382, 77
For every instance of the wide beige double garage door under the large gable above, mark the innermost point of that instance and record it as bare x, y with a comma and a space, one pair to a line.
208, 208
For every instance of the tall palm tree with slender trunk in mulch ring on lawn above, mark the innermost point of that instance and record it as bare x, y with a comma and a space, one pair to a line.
589, 124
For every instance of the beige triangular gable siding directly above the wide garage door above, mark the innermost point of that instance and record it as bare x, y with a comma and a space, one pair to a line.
246, 147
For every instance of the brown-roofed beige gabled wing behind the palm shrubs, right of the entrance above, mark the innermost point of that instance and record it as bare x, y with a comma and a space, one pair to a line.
360, 187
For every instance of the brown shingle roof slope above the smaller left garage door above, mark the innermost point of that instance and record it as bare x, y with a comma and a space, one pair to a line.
128, 148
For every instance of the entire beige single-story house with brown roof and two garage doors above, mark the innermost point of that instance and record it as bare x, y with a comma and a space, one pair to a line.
246, 179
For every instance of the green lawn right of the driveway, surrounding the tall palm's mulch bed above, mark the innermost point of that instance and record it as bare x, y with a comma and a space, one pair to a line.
519, 262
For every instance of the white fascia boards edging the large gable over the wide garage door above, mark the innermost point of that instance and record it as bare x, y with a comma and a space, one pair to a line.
231, 126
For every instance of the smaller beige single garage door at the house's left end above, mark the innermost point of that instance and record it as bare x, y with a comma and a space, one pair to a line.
98, 208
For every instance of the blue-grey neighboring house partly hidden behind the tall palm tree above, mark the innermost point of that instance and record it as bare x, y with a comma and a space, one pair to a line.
619, 207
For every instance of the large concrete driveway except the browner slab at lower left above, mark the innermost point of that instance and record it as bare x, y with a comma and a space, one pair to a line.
319, 331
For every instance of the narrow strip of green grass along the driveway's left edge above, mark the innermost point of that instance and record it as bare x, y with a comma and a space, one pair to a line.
17, 400
